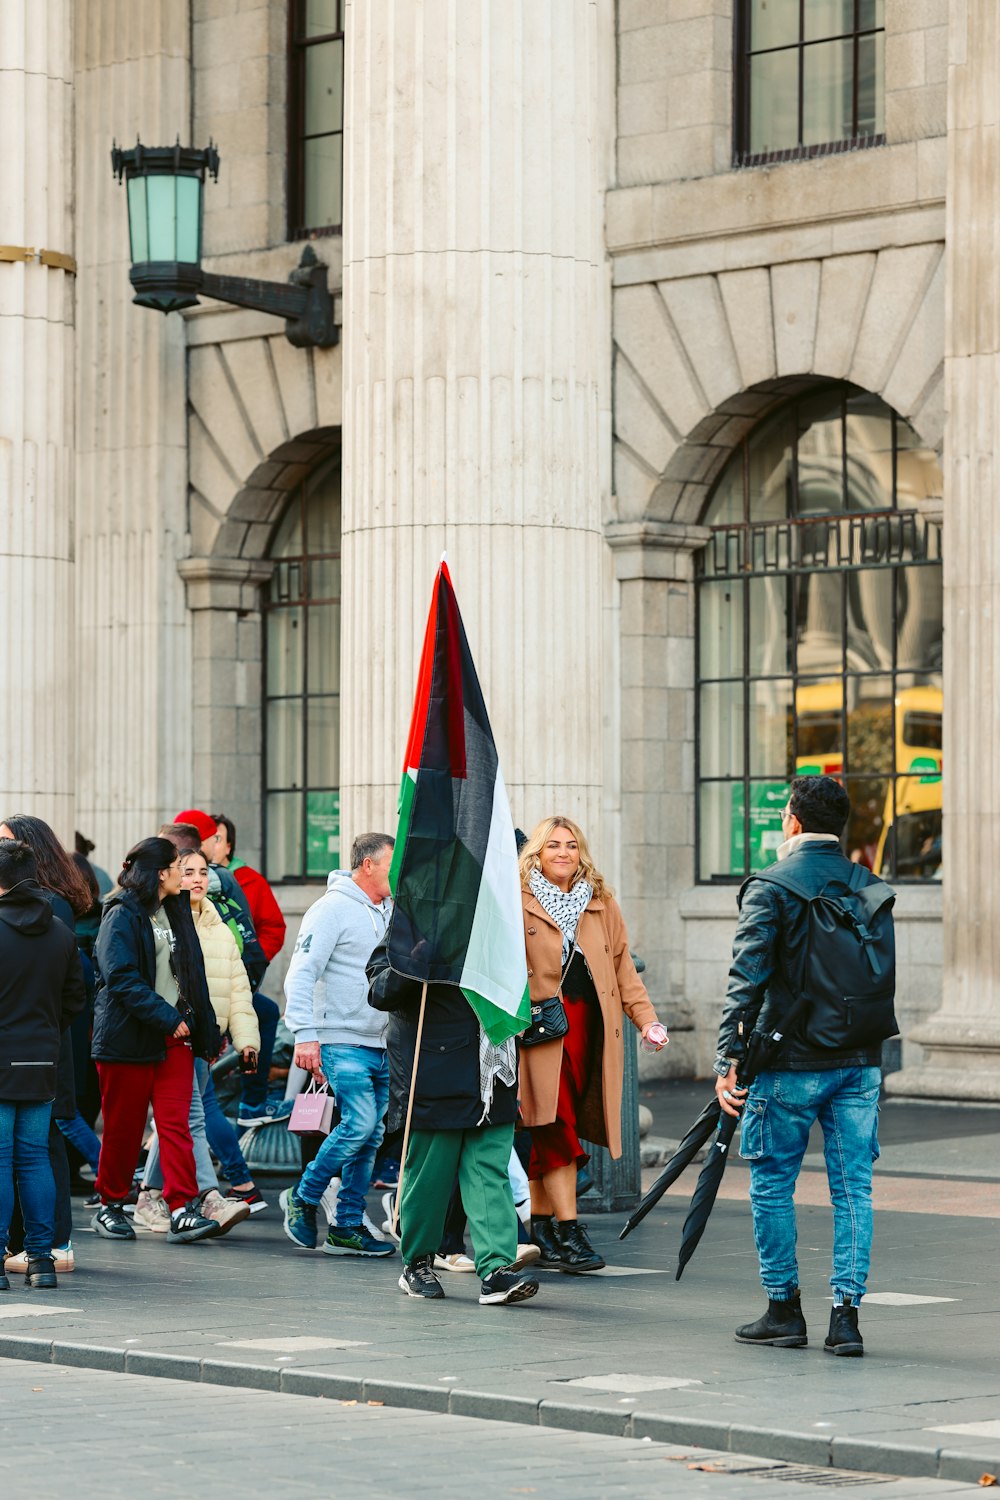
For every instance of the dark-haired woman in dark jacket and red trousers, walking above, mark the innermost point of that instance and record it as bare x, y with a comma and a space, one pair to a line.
152, 1016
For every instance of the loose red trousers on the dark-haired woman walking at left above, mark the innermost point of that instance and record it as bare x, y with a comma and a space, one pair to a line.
127, 1091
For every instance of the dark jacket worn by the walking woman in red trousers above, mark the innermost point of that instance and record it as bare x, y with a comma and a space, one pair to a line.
131, 1021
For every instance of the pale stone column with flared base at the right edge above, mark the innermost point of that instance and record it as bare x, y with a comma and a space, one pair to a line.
963, 1040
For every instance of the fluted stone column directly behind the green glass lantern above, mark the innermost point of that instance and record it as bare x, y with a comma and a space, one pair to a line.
134, 748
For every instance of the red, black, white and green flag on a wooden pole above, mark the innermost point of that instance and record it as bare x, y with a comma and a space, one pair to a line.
458, 914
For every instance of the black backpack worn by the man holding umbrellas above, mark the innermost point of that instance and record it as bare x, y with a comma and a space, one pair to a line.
848, 980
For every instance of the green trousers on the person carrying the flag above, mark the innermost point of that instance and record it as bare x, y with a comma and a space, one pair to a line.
481, 1159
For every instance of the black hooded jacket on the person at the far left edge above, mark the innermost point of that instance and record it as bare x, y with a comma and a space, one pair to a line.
41, 991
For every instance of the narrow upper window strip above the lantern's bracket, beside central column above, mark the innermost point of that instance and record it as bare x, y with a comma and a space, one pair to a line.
316, 118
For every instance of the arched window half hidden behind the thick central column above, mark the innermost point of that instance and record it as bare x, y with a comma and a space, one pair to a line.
302, 685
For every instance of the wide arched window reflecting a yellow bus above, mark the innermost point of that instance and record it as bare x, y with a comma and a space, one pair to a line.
819, 643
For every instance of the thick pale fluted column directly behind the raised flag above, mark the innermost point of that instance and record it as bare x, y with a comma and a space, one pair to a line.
475, 340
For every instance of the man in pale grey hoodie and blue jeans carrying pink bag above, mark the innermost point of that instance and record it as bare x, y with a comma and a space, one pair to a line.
340, 1039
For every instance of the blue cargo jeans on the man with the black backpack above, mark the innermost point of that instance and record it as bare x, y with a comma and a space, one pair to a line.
776, 1130
